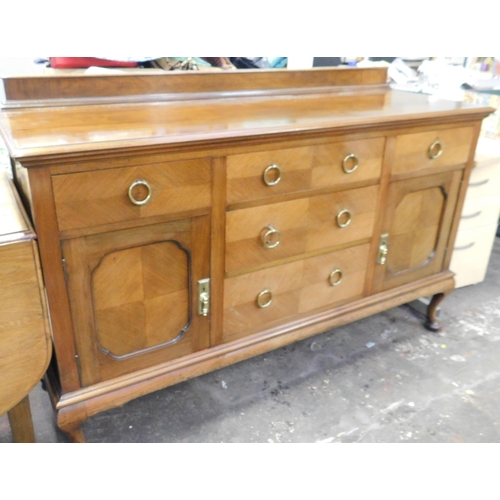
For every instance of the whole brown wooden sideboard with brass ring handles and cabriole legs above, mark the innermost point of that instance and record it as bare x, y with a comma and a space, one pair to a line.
188, 221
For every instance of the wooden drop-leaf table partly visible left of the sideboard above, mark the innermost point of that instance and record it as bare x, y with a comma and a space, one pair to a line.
25, 343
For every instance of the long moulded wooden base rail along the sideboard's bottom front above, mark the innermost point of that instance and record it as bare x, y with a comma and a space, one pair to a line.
82, 404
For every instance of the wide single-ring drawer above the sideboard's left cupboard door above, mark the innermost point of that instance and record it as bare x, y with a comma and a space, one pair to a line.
133, 193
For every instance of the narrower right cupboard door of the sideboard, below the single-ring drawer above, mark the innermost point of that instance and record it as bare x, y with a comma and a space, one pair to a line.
416, 228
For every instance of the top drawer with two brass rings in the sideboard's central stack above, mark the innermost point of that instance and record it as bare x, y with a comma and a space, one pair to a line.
269, 173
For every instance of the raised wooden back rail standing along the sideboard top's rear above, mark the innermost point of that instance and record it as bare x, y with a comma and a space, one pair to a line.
42, 87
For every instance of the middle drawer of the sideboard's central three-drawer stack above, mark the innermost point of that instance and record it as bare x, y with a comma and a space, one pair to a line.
258, 235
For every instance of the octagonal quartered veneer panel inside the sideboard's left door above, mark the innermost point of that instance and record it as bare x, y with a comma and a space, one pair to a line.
141, 298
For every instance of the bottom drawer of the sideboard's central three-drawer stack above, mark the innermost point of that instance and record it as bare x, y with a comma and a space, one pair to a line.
291, 289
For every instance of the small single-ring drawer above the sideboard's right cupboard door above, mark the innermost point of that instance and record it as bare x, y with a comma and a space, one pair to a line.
432, 149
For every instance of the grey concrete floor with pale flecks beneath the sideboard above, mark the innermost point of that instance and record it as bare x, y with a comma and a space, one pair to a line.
383, 379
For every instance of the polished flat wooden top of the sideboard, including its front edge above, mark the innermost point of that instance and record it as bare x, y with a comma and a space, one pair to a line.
67, 130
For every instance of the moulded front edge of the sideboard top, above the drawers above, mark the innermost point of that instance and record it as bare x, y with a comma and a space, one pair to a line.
38, 157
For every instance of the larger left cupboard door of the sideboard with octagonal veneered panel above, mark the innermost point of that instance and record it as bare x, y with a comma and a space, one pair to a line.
133, 296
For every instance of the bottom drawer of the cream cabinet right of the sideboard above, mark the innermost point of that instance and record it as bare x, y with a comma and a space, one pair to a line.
471, 254
